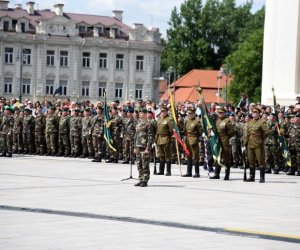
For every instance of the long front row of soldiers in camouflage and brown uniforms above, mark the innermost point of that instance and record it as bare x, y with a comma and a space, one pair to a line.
245, 139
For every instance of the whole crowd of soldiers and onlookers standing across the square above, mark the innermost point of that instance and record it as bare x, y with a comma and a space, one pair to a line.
250, 135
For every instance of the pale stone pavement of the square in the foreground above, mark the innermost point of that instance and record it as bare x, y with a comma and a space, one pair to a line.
62, 203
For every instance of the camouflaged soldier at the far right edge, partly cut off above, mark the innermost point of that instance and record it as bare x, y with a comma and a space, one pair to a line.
294, 145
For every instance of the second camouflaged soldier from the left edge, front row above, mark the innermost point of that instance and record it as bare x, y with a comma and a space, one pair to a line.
17, 136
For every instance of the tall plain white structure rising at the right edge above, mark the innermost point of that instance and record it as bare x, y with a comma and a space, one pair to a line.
281, 64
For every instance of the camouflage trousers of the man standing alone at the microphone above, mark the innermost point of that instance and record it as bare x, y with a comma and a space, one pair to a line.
142, 162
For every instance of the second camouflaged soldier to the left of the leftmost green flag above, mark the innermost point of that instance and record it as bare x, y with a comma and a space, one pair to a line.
86, 140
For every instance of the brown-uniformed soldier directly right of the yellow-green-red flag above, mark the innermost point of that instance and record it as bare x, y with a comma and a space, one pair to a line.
193, 131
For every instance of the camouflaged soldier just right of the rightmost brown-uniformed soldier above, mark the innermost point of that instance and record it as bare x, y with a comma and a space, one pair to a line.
272, 149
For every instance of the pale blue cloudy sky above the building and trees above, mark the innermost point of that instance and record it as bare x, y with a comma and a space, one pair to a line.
152, 13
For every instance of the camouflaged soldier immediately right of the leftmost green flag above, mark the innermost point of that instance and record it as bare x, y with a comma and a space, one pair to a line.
115, 128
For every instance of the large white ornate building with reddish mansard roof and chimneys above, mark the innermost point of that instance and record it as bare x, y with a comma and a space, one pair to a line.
41, 50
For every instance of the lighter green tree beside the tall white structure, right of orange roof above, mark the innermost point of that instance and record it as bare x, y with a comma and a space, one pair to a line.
246, 64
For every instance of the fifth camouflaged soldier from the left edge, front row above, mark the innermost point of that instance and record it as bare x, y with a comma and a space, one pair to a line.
51, 131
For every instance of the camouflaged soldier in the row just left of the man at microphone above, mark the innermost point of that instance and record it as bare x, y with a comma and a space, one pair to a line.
128, 130
